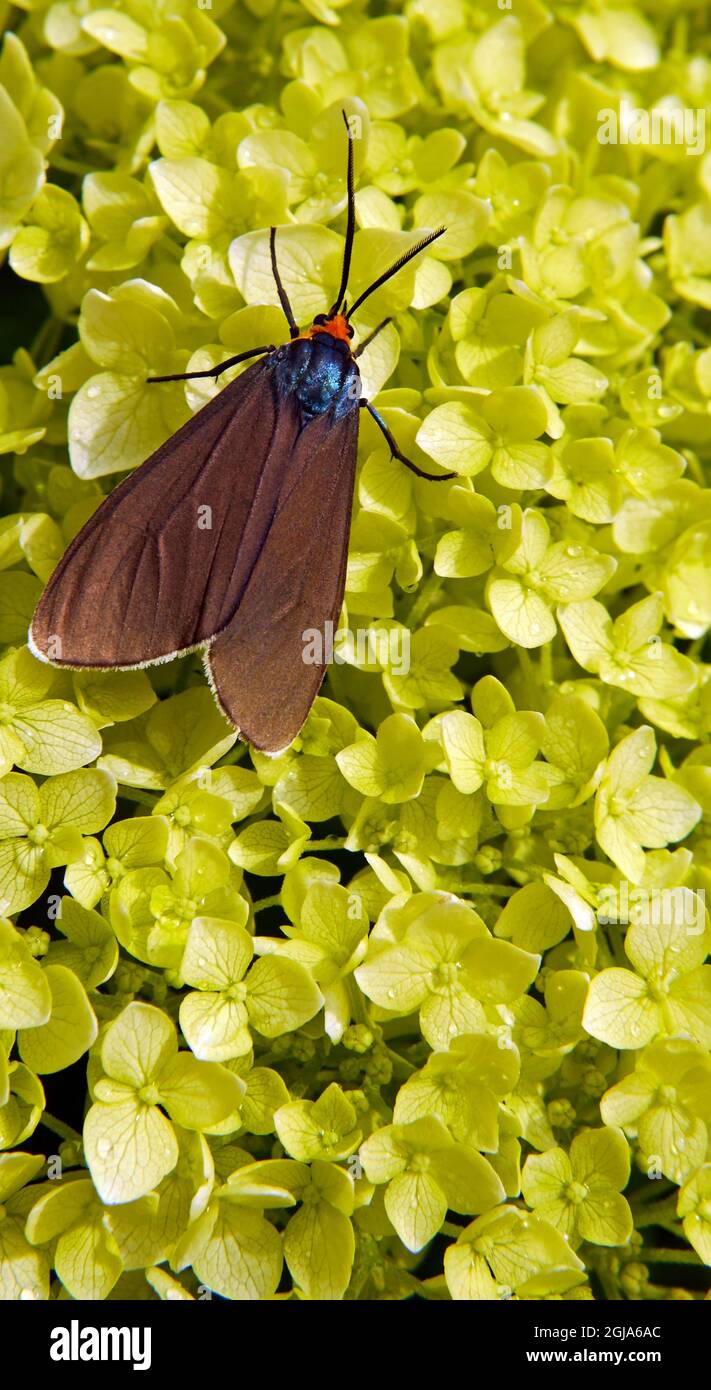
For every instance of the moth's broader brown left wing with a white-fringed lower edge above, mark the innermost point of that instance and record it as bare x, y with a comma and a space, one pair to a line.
160, 568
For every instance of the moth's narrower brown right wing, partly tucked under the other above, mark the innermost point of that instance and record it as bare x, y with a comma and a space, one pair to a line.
258, 665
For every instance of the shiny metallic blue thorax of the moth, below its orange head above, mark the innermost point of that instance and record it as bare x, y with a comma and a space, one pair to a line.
321, 373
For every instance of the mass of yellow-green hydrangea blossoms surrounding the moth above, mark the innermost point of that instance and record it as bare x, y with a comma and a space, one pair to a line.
419, 1007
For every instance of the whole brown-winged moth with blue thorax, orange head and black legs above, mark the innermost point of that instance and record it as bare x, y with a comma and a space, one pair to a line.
273, 457
